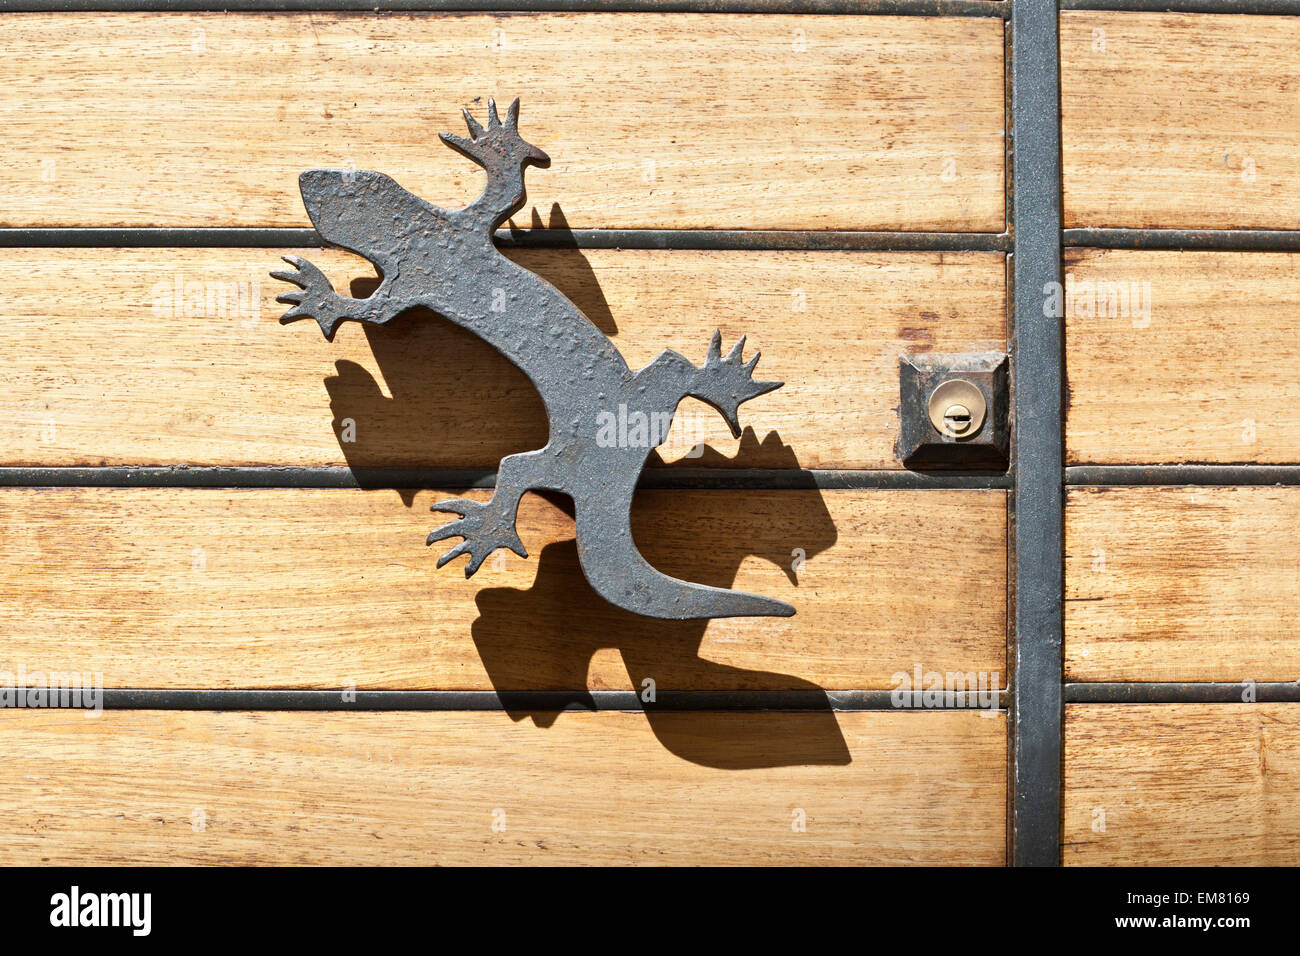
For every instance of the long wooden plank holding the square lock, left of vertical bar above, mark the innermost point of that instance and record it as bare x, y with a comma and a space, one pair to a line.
85, 384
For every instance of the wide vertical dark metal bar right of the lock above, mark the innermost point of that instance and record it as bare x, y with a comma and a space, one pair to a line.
1039, 477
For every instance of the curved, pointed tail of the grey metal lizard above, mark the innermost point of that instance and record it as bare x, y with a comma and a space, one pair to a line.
622, 577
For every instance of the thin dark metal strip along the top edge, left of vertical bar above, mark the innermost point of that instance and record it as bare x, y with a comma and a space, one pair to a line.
911, 8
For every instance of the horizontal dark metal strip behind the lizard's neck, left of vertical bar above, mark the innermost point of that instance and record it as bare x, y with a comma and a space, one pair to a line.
779, 240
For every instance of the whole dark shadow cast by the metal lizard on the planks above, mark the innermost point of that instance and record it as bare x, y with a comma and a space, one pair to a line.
545, 637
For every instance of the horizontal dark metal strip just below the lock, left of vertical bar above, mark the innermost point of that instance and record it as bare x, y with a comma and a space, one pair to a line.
344, 477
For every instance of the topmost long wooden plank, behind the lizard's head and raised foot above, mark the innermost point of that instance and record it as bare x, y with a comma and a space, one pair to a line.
709, 122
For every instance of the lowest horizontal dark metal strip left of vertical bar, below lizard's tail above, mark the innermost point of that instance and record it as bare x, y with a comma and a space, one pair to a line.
124, 699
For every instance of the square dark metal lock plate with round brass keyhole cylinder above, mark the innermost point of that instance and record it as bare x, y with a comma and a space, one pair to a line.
954, 410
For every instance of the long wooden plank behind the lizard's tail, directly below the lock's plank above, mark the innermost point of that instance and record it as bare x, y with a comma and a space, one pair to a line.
333, 589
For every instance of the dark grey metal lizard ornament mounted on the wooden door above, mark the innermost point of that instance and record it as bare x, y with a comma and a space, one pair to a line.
445, 261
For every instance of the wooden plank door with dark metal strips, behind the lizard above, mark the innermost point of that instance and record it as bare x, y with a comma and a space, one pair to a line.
220, 521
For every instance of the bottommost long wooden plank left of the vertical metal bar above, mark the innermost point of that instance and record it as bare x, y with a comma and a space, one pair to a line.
427, 789
